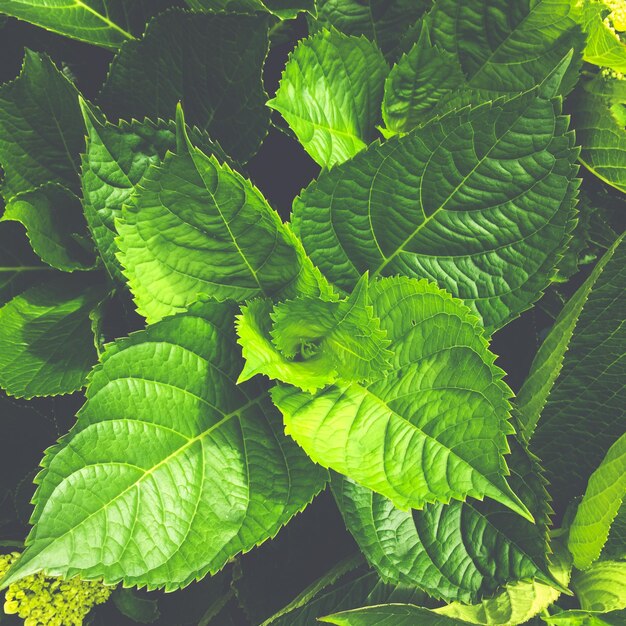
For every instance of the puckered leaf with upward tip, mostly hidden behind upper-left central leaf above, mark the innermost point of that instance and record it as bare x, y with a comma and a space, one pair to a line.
115, 159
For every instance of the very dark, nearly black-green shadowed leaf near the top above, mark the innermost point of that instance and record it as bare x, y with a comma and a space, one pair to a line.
210, 62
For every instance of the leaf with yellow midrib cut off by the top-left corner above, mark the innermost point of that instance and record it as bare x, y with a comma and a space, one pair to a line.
106, 23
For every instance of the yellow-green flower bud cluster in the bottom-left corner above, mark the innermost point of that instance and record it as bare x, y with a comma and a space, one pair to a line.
43, 601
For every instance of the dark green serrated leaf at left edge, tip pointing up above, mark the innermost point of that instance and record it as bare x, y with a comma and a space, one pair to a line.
41, 135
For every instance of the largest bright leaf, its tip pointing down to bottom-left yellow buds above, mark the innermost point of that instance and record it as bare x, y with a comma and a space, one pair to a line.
198, 462
